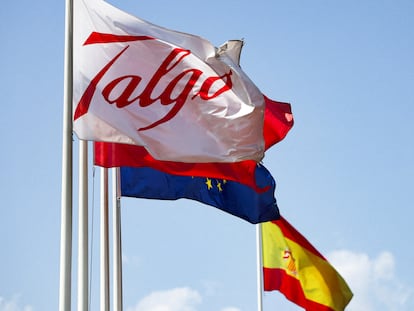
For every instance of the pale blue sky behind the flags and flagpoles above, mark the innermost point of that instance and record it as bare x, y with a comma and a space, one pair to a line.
344, 173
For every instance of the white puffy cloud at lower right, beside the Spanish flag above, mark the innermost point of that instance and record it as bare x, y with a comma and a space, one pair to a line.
373, 281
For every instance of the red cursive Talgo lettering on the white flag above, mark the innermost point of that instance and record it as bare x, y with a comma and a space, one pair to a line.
175, 90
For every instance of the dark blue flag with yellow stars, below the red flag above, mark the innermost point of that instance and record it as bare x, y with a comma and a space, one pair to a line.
253, 205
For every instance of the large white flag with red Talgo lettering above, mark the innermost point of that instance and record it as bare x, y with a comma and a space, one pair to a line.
173, 93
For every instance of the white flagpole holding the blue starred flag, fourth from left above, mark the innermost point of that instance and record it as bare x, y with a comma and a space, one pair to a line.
117, 249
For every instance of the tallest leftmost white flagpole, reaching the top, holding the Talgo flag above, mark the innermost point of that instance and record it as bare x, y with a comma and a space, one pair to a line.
67, 170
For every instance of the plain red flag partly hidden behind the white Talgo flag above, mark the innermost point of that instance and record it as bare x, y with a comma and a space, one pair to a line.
278, 120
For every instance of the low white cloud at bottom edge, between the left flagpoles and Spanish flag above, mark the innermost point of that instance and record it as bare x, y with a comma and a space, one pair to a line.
177, 299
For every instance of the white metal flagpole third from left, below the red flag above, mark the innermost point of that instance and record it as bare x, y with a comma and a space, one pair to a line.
104, 247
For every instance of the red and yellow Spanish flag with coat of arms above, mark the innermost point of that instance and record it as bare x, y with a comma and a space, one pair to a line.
294, 267
